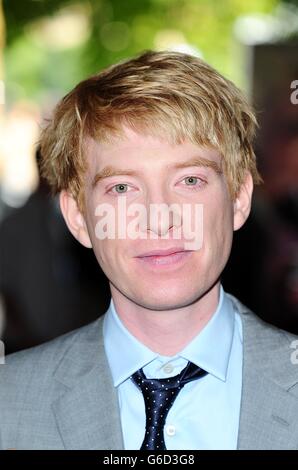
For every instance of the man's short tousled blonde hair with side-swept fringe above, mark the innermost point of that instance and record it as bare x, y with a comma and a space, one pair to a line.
165, 94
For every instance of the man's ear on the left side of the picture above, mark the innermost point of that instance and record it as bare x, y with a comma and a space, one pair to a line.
74, 219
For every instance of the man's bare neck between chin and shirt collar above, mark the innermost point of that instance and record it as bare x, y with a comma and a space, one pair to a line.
166, 332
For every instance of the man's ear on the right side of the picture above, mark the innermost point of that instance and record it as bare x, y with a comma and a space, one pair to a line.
242, 203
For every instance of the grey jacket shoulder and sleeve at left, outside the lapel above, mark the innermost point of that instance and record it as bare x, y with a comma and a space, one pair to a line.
29, 384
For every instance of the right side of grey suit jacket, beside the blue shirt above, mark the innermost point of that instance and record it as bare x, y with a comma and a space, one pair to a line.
268, 414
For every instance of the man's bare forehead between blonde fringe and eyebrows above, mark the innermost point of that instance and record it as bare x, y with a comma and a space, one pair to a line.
133, 148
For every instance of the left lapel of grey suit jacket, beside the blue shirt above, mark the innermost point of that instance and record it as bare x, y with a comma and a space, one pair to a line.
87, 411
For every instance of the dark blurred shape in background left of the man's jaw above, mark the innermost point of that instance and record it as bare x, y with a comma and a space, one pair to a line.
48, 283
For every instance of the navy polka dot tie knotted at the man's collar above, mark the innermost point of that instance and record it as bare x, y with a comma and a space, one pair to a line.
159, 395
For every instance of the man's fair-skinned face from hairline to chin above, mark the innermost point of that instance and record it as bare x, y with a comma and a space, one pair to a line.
152, 171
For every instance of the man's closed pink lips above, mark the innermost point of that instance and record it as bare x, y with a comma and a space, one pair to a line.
164, 258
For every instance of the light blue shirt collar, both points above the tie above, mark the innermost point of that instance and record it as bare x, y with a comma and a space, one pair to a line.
210, 349
